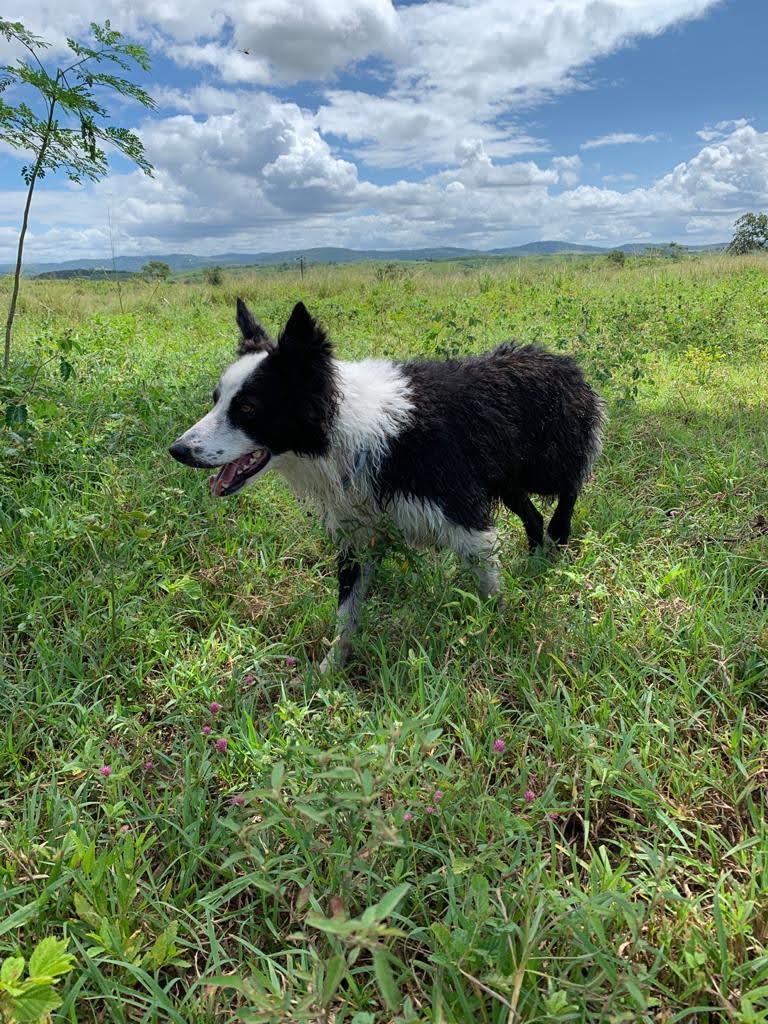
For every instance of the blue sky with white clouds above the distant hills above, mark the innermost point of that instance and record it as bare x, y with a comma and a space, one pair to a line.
288, 124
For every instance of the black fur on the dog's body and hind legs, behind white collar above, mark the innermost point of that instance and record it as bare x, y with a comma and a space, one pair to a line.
496, 429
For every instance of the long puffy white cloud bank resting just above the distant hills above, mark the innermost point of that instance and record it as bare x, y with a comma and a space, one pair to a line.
223, 186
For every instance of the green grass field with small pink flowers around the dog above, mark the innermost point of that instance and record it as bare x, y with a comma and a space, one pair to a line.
362, 850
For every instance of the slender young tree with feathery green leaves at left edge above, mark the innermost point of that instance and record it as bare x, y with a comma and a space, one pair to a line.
71, 130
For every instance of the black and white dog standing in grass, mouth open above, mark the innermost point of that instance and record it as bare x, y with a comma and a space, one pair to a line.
434, 448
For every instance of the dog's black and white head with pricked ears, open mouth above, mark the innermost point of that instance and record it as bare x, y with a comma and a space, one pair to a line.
276, 398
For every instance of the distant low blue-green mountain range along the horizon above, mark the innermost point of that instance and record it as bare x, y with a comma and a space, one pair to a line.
186, 262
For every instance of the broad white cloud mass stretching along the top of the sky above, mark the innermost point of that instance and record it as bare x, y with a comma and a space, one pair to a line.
454, 68
